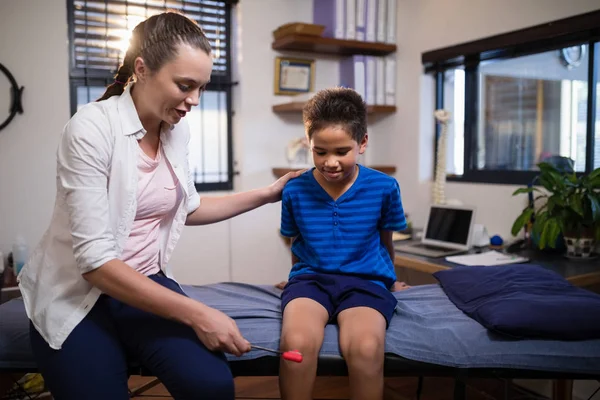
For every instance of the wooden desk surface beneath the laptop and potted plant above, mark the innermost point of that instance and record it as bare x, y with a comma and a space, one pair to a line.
579, 273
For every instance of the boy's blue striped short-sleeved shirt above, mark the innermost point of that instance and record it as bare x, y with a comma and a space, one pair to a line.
342, 236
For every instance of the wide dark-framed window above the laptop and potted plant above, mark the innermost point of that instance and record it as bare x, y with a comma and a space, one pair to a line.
521, 98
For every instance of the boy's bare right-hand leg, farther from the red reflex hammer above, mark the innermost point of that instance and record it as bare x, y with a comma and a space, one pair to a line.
362, 342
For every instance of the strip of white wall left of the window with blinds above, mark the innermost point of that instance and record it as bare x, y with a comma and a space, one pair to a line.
33, 46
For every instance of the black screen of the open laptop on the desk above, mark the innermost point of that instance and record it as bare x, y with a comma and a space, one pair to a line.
449, 225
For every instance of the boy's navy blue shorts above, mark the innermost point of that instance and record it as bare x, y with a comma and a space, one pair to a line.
339, 292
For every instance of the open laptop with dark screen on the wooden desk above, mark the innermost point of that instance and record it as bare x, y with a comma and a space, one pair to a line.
448, 231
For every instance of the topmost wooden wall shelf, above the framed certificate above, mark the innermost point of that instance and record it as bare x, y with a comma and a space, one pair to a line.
318, 44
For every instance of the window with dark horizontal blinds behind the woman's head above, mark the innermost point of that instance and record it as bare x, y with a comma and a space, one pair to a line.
99, 32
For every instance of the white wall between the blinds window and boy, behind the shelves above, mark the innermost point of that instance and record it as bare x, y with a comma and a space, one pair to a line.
258, 253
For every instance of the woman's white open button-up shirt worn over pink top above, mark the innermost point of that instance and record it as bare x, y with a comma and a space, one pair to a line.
96, 187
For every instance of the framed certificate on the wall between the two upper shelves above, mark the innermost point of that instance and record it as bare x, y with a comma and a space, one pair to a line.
294, 75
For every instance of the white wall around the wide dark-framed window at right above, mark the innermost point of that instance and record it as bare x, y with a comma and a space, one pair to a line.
426, 25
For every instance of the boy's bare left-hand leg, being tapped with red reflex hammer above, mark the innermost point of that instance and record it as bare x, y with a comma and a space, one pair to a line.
303, 329
